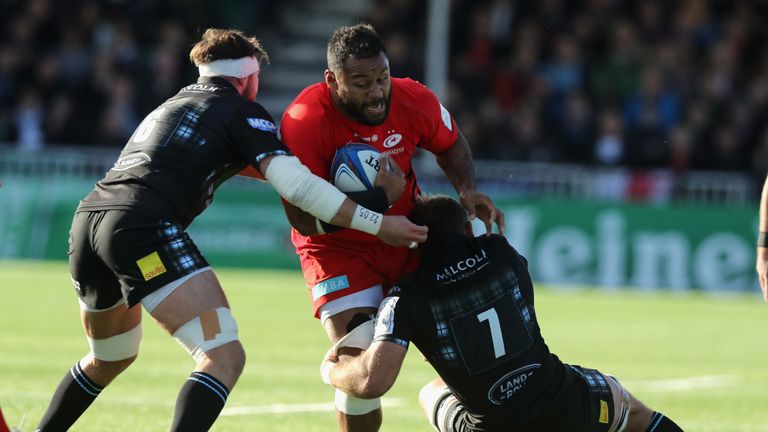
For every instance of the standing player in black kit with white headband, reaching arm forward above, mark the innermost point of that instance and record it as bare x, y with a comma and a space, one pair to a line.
128, 243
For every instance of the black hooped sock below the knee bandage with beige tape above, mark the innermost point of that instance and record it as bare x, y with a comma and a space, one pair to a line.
199, 403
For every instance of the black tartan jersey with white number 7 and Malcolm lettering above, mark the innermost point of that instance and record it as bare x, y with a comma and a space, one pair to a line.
469, 310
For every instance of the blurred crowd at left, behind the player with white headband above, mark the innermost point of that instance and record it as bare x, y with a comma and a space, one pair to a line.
88, 71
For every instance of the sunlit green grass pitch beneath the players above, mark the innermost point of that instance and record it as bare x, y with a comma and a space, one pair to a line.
645, 340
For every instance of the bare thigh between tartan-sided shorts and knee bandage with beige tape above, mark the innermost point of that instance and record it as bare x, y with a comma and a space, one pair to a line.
200, 295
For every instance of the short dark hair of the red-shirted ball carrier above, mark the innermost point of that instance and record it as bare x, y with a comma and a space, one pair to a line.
358, 41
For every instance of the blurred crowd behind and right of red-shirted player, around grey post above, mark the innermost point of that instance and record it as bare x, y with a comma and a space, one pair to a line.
644, 84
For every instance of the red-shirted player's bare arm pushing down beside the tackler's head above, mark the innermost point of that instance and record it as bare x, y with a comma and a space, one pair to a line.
458, 166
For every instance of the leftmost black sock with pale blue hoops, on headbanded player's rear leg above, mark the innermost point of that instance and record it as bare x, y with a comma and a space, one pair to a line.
73, 396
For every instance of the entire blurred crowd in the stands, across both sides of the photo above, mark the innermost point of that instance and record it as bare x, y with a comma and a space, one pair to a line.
643, 84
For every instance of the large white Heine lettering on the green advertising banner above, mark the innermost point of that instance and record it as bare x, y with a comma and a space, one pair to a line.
612, 255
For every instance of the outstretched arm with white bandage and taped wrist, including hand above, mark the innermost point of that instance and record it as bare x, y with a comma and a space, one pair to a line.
294, 182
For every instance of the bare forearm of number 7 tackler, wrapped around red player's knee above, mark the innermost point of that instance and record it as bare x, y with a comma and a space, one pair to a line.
368, 375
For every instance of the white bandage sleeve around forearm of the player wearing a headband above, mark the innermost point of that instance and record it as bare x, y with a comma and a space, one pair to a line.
294, 182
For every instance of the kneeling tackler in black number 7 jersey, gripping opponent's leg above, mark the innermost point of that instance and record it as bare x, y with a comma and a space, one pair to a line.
469, 310
